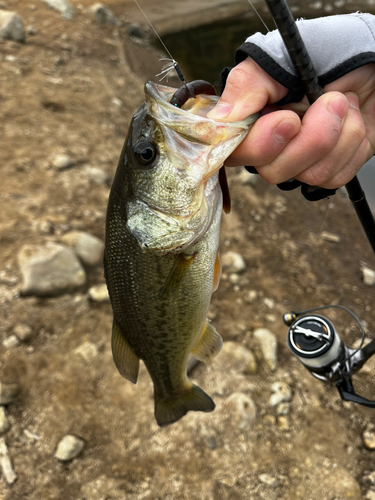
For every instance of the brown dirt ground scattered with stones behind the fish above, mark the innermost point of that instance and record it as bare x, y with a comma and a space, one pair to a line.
71, 427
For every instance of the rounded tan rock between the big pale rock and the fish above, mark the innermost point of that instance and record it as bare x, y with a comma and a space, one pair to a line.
89, 248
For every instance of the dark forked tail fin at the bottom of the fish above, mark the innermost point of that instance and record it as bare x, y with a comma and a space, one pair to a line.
168, 412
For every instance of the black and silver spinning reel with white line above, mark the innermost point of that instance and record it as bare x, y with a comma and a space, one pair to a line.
314, 341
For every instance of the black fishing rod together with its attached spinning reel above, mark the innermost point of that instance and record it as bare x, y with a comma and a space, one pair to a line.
312, 338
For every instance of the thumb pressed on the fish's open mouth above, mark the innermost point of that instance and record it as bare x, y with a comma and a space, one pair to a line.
248, 89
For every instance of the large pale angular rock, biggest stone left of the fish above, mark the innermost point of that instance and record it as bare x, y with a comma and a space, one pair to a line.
49, 270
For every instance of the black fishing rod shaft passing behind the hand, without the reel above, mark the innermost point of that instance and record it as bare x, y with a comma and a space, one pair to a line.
305, 70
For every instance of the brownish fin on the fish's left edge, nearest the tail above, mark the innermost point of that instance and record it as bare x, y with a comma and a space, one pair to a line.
126, 361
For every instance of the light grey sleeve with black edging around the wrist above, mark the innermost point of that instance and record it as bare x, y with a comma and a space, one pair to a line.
336, 44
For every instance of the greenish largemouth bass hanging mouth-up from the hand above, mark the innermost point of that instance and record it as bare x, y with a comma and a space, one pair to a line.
161, 259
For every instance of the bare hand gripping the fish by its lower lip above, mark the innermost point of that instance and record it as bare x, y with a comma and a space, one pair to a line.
324, 144
